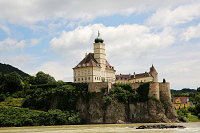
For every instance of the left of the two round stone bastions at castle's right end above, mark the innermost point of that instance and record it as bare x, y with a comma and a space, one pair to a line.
154, 90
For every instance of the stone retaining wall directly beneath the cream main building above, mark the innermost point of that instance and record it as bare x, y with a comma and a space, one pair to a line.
96, 86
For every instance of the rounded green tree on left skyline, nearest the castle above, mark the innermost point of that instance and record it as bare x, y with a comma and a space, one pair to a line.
42, 78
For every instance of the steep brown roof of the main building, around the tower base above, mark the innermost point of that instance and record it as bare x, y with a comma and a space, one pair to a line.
90, 61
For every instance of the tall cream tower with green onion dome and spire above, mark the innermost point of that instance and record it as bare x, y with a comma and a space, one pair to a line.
99, 51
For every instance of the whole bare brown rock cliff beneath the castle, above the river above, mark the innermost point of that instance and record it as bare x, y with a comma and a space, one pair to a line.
95, 110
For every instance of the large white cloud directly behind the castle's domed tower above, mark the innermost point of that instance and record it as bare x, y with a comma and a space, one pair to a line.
136, 40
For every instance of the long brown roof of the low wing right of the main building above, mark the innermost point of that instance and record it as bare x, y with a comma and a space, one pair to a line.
128, 76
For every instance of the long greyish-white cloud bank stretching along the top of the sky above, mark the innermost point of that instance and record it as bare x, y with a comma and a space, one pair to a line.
33, 11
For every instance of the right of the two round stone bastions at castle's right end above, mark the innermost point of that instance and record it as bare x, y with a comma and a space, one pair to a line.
165, 94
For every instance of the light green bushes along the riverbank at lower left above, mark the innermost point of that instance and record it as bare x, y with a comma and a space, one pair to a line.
10, 116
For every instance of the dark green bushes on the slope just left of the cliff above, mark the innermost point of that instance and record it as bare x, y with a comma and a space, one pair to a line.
62, 97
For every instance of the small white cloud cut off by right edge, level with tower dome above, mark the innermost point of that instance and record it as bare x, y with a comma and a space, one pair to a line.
191, 32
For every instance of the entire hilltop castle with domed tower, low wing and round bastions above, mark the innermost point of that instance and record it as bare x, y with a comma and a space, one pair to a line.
95, 70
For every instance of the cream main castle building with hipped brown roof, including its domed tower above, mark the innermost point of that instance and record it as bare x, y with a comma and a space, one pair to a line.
95, 67
